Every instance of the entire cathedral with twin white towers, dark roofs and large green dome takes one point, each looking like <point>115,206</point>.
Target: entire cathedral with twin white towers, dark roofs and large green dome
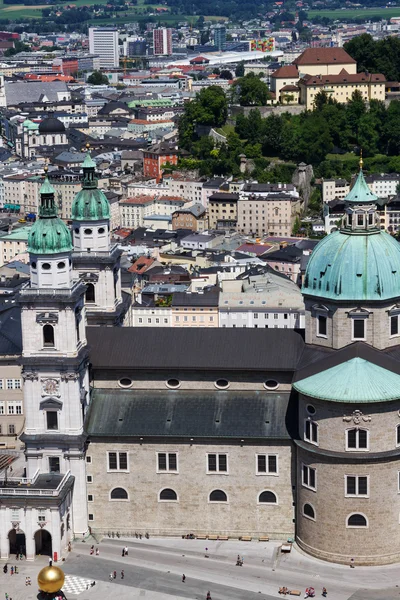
<point>259,433</point>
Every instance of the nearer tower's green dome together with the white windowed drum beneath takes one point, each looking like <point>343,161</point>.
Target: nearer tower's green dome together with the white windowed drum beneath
<point>49,244</point>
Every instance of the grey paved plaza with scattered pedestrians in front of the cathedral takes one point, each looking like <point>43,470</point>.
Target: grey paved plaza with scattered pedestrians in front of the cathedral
<point>153,571</point>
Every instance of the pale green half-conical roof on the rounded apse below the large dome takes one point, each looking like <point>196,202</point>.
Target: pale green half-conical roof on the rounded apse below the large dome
<point>356,380</point>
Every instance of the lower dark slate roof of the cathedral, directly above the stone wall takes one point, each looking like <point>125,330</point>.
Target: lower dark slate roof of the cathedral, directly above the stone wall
<point>205,414</point>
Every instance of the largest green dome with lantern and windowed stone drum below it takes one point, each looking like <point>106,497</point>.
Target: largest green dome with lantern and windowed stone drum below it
<point>352,282</point>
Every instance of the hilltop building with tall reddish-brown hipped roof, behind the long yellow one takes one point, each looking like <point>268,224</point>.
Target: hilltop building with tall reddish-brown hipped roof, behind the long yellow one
<point>325,61</point>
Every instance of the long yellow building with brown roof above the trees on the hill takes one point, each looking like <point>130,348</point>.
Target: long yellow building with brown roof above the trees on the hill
<point>341,87</point>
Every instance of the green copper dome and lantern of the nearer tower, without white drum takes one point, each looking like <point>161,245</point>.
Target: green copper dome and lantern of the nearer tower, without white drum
<point>49,234</point>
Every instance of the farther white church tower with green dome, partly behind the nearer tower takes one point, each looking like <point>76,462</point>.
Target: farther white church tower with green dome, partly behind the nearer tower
<point>95,260</point>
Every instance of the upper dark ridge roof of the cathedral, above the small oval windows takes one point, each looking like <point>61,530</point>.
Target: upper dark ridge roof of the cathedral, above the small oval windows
<point>194,348</point>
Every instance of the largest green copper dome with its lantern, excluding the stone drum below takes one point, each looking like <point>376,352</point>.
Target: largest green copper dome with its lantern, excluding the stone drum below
<point>357,262</point>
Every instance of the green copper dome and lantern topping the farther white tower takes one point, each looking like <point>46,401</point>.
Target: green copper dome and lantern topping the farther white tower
<point>90,203</point>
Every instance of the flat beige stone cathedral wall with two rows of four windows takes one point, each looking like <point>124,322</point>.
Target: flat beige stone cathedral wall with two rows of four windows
<point>192,512</point>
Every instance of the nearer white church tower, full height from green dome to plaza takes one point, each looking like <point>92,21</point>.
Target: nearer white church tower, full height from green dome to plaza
<point>55,372</point>
